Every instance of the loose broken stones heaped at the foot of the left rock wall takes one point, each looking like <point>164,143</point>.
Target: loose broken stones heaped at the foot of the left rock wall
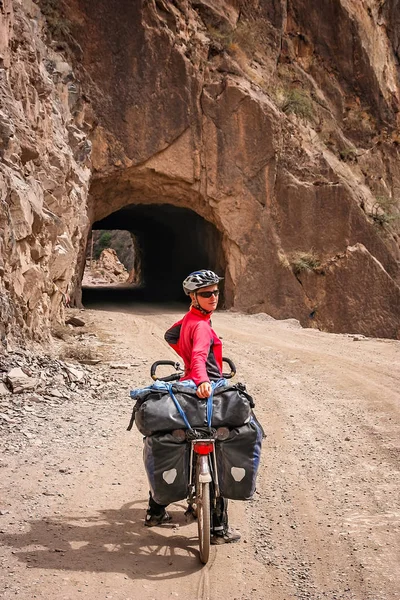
<point>40,384</point>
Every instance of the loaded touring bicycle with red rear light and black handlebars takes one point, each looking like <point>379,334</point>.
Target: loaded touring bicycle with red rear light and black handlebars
<point>203,486</point>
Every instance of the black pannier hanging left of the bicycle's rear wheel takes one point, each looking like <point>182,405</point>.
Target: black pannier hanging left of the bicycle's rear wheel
<point>166,461</point>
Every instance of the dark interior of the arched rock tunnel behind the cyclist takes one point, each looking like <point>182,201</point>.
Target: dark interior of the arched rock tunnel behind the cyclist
<point>171,243</point>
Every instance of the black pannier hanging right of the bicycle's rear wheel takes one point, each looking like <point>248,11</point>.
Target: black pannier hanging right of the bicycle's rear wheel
<point>238,459</point>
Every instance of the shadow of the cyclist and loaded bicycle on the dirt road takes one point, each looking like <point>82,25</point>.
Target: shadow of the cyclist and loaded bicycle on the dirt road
<point>114,541</point>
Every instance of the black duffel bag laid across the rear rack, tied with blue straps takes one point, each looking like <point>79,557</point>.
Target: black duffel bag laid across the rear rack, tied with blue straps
<point>155,410</point>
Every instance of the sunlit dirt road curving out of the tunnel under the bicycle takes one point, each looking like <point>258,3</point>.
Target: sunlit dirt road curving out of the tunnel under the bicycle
<point>324,523</point>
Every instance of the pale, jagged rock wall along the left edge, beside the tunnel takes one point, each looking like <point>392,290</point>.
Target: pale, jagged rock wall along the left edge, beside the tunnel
<point>44,174</point>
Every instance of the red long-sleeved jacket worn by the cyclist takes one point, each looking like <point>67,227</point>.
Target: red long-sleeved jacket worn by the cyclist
<point>198,345</point>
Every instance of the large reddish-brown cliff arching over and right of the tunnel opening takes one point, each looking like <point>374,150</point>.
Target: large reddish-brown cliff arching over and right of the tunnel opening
<point>277,122</point>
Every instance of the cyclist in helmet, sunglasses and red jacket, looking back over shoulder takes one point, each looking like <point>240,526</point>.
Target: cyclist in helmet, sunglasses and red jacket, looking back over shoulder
<point>201,350</point>
